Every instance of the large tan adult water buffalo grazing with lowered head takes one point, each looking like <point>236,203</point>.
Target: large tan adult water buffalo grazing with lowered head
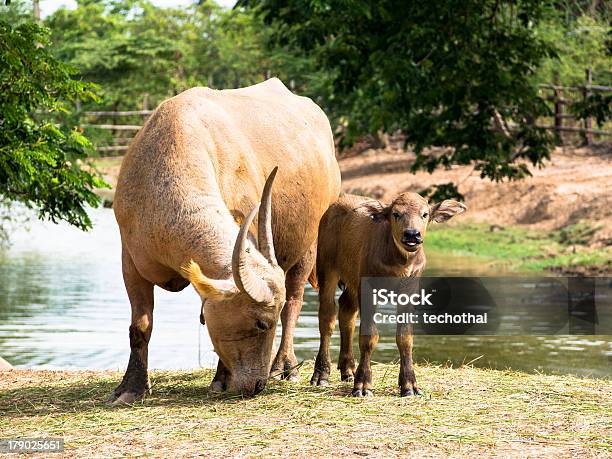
<point>192,175</point>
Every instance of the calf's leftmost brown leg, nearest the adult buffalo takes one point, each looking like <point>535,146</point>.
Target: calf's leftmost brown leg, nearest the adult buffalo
<point>327,323</point>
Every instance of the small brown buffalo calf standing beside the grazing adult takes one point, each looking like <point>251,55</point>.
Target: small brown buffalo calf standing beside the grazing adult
<point>360,237</point>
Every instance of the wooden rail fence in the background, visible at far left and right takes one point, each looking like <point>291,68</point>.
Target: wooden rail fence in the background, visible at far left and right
<point>563,122</point>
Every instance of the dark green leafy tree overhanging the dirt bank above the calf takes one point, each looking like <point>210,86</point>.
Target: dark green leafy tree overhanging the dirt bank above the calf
<point>452,74</point>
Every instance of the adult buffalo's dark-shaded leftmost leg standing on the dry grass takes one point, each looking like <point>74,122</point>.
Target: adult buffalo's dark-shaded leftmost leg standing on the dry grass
<point>136,382</point>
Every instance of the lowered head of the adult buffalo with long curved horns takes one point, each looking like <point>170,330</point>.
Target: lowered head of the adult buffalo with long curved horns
<point>241,313</point>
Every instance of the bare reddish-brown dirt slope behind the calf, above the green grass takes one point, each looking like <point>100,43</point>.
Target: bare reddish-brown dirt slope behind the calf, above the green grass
<point>574,186</point>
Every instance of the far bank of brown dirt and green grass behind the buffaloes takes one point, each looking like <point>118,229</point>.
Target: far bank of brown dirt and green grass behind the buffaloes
<point>559,219</point>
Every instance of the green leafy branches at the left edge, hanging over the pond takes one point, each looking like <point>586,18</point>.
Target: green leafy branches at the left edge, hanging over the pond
<point>40,161</point>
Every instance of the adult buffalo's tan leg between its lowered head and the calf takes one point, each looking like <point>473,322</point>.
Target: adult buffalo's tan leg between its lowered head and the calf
<point>285,363</point>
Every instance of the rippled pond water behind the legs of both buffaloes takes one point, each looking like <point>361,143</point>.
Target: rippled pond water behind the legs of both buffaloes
<point>63,305</point>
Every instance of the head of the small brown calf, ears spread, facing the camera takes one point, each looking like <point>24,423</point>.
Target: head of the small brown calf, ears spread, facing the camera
<point>408,216</point>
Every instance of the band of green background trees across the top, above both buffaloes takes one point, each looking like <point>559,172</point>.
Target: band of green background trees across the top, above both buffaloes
<point>462,74</point>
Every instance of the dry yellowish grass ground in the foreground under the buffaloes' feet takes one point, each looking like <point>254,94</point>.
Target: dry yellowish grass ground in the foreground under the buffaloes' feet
<point>464,412</point>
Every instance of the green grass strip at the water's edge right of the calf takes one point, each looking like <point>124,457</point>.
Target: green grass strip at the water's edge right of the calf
<point>521,249</point>
